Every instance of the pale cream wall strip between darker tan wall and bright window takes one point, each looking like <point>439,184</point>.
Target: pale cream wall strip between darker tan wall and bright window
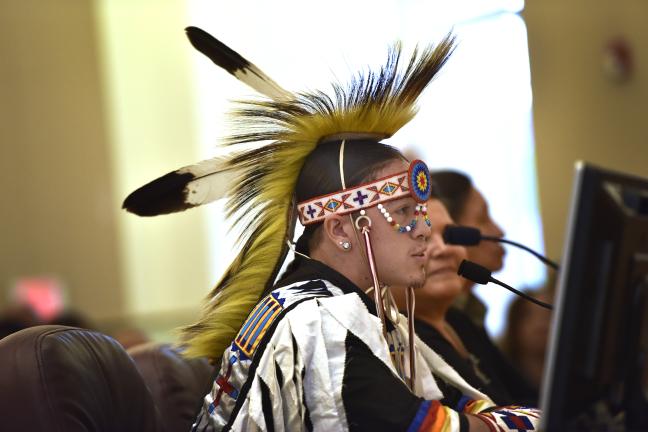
<point>150,100</point>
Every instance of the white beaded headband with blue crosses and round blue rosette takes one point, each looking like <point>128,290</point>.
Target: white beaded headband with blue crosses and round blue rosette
<point>414,182</point>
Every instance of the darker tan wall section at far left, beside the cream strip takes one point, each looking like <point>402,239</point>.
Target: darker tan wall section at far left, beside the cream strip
<point>56,214</point>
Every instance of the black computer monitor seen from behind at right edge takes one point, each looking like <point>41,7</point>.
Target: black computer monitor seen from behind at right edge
<point>596,376</point>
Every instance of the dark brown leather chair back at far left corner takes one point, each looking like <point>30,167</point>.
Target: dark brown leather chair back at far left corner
<point>64,379</point>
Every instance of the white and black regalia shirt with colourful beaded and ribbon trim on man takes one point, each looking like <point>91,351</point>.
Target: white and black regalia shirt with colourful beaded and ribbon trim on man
<point>312,356</point>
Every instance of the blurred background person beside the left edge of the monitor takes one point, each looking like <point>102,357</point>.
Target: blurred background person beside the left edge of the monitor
<point>525,340</point>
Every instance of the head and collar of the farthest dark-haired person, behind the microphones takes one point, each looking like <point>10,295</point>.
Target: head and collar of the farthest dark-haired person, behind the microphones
<point>468,207</point>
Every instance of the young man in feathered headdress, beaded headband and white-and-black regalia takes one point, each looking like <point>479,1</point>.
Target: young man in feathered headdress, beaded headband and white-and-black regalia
<point>313,351</point>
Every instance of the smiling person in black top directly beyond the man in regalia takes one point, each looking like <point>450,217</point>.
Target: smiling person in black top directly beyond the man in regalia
<point>450,332</point>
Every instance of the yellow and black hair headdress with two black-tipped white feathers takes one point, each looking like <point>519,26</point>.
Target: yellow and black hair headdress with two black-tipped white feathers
<point>287,127</point>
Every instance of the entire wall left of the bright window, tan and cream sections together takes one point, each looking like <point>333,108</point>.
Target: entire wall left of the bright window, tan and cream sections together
<point>96,99</point>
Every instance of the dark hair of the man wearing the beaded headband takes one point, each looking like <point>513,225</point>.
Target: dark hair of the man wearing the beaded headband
<point>320,175</point>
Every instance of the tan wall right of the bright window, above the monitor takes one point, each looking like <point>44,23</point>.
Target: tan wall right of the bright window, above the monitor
<point>579,113</point>
